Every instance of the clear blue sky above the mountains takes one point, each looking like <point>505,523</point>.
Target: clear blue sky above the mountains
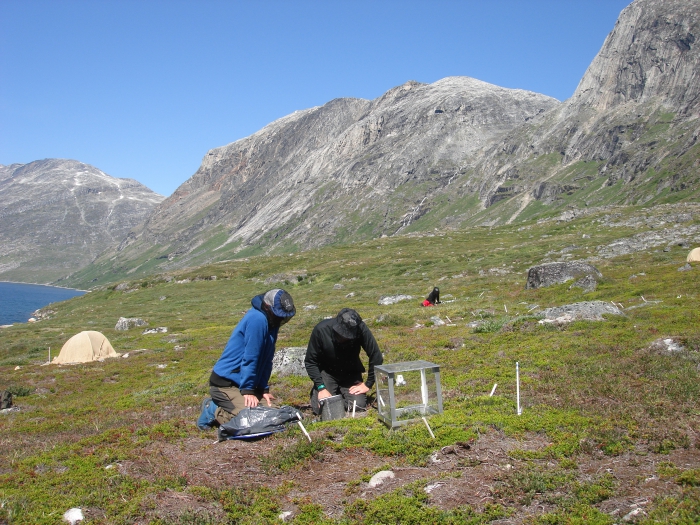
<point>143,89</point>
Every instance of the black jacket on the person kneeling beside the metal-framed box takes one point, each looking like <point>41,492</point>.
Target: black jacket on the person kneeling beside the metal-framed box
<point>326,352</point>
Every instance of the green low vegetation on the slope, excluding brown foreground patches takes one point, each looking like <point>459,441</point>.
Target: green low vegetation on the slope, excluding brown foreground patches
<point>588,387</point>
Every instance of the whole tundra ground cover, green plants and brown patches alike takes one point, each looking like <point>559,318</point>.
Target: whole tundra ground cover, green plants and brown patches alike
<point>610,427</point>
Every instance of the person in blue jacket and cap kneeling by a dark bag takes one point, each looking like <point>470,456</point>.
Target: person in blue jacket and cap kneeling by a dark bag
<point>240,376</point>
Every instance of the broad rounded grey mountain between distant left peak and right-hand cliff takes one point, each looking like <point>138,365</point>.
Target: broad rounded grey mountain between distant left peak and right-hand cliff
<point>347,170</point>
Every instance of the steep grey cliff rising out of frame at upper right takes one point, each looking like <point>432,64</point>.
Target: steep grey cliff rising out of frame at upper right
<point>627,135</point>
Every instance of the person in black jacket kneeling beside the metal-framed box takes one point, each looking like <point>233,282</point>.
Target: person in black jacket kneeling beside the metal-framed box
<point>333,360</point>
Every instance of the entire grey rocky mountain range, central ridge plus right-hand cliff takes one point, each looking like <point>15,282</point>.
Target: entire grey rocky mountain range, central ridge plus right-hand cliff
<point>454,153</point>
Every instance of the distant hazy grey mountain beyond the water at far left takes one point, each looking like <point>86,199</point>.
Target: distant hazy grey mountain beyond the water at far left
<point>57,215</point>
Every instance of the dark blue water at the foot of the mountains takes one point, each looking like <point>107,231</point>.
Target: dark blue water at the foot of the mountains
<point>18,301</point>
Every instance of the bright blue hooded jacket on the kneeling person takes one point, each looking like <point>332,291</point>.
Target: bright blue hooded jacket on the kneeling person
<point>247,357</point>
